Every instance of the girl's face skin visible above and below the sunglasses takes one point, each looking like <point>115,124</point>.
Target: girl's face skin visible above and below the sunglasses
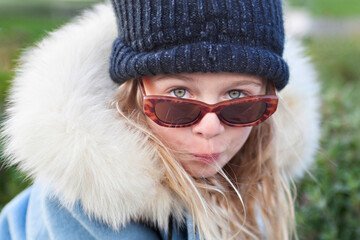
<point>207,146</point>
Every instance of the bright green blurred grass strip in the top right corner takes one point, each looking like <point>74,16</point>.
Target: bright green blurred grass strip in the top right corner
<point>330,8</point>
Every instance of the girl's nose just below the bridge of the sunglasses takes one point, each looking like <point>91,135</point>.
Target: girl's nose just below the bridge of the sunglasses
<point>209,126</point>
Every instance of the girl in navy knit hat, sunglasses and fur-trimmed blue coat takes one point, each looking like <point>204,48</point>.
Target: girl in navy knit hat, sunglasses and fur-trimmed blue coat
<point>181,144</point>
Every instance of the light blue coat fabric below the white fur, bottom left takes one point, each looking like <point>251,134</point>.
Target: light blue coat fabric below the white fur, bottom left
<point>34,215</point>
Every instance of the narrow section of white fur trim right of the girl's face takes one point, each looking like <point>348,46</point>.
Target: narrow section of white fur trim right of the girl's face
<point>298,116</point>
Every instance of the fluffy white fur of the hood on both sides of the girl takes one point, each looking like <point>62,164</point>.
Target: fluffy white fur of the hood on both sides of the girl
<point>61,130</point>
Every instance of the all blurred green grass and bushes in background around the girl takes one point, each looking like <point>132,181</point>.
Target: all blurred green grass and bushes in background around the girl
<point>328,204</point>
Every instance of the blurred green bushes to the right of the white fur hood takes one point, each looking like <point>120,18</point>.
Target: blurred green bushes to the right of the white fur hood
<point>330,208</point>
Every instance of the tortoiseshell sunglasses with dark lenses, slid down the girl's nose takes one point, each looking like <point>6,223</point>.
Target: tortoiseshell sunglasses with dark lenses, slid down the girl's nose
<point>177,112</point>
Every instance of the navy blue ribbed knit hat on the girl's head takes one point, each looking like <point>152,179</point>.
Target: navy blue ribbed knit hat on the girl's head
<point>174,36</point>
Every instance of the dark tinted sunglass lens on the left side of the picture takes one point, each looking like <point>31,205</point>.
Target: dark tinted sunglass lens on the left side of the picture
<point>176,113</point>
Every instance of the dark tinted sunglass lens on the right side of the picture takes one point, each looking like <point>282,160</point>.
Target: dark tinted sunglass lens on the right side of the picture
<point>243,113</point>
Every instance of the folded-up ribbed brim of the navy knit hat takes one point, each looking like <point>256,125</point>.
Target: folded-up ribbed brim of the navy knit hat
<point>198,57</point>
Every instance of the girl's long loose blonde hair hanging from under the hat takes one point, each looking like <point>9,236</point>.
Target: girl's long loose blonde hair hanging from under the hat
<point>249,198</point>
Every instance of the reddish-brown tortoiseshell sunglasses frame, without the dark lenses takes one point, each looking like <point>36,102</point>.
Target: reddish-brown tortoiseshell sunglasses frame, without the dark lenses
<point>149,102</point>
